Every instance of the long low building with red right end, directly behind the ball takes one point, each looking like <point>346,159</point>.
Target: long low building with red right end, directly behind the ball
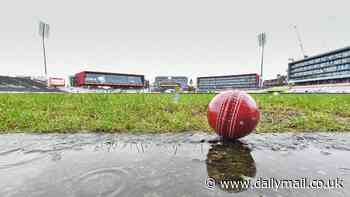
<point>217,83</point>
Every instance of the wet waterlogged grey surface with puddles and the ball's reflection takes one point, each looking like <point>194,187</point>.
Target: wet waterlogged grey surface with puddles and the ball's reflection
<point>188,164</point>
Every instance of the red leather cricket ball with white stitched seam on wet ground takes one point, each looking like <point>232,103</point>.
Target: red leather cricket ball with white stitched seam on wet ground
<point>233,114</point>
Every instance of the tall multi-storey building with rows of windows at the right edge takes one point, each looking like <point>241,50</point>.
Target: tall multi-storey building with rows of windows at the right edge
<point>326,68</point>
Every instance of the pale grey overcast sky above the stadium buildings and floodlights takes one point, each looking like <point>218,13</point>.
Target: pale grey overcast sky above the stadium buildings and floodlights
<point>159,37</point>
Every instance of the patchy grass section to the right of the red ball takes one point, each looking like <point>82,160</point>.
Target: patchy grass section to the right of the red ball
<point>304,112</point>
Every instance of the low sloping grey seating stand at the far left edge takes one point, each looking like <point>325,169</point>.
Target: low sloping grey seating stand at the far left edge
<point>23,84</point>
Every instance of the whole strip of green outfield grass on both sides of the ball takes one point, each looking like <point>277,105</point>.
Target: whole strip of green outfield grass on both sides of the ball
<point>156,113</point>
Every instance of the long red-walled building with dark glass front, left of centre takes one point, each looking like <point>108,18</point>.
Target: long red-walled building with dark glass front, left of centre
<point>93,79</point>
